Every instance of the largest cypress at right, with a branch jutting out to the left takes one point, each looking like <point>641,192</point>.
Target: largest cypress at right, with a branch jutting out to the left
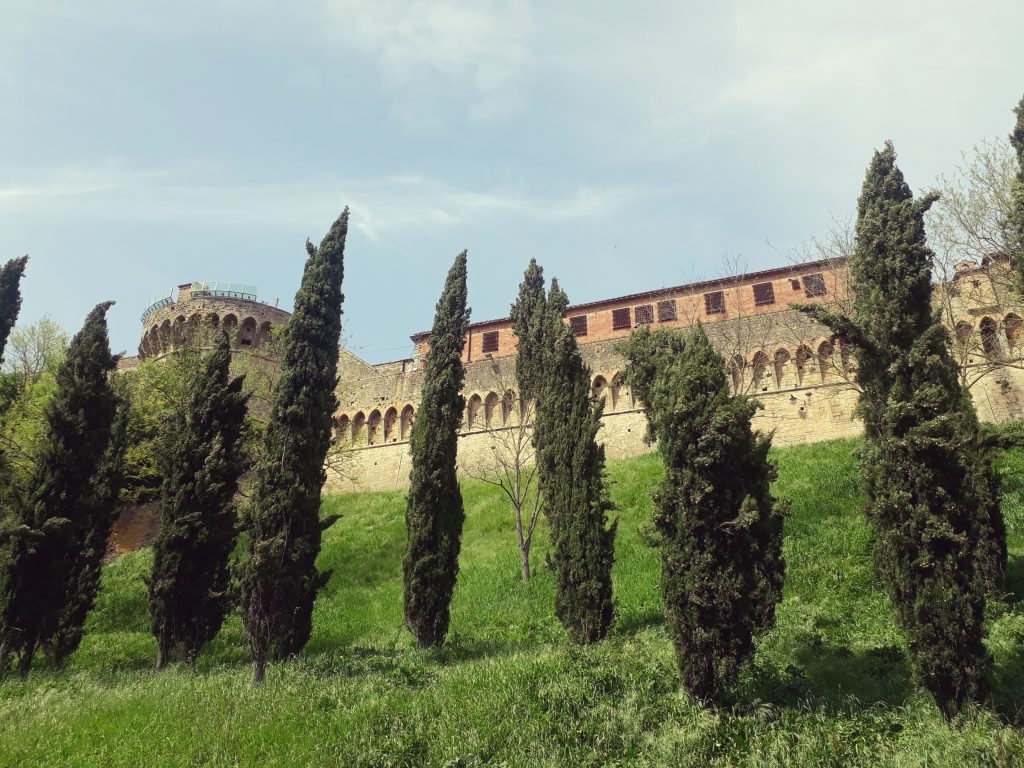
<point>941,540</point>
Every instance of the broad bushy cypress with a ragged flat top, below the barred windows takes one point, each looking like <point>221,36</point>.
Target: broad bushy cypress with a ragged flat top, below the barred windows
<point>721,531</point>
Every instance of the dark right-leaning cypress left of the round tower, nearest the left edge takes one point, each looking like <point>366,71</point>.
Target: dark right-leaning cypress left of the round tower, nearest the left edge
<point>47,590</point>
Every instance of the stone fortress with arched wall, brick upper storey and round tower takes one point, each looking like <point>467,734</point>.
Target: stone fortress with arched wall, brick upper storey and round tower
<point>801,375</point>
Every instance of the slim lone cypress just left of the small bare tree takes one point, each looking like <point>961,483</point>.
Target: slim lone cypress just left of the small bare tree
<point>435,510</point>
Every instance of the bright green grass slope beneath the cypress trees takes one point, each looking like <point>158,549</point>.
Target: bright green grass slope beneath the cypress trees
<point>831,686</point>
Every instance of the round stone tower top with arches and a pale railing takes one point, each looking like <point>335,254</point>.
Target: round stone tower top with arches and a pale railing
<point>179,314</point>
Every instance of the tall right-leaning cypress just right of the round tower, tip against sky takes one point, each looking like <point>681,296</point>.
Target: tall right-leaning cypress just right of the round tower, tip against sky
<point>280,580</point>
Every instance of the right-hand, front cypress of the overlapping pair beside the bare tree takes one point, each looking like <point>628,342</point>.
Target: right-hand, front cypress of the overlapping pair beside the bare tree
<point>571,465</point>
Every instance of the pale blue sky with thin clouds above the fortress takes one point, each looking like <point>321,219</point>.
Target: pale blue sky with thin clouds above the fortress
<point>627,147</point>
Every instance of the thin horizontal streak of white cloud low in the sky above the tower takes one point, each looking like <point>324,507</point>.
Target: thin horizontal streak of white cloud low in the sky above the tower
<point>382,208</point>
